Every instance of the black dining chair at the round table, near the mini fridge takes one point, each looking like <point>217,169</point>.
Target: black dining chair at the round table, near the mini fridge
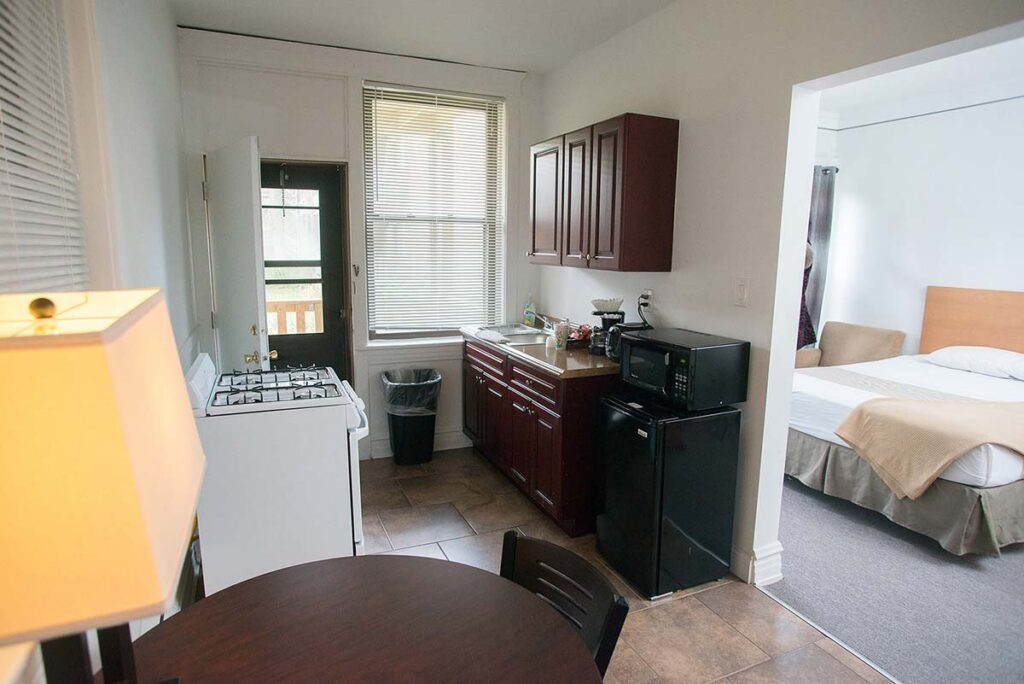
<point>571,586</point>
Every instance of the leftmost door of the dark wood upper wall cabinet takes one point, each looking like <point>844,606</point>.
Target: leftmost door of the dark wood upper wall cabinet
<point>546,201</point>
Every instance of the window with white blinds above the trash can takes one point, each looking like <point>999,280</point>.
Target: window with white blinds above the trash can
<point>435,209</point>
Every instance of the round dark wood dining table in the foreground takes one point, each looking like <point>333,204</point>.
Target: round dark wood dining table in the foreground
<point>372,619</point>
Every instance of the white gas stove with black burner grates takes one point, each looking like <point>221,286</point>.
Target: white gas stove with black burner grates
<point>282,485</point>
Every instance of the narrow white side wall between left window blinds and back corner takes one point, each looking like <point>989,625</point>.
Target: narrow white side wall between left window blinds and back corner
<point>139,73</point>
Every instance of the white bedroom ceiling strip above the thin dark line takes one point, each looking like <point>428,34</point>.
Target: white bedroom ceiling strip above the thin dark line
<point>988,74</point>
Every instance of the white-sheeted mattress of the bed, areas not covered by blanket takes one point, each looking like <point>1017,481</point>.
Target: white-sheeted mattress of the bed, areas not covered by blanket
<point>820,406</point>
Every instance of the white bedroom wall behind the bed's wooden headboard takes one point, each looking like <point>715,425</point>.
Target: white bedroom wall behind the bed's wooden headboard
<point>935,200</point>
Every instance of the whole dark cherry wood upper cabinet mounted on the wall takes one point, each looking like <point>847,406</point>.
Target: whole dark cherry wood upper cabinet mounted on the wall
<point>618,195</point>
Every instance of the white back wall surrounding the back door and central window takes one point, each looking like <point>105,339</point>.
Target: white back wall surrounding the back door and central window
<point>305,104</point>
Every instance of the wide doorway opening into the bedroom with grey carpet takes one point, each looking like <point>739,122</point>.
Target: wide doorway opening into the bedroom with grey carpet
<point>921,258</point>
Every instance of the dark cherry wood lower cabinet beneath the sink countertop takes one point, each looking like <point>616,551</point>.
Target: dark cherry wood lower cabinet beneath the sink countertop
<point>538,429</point>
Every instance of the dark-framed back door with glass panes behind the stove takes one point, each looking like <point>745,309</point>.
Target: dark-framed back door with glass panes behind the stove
<point>305,256</point>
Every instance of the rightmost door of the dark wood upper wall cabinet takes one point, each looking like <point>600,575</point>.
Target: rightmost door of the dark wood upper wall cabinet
<point>607,194</point>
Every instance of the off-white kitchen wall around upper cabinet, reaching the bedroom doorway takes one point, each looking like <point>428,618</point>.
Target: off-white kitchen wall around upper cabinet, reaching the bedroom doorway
<point>728,71</point>
